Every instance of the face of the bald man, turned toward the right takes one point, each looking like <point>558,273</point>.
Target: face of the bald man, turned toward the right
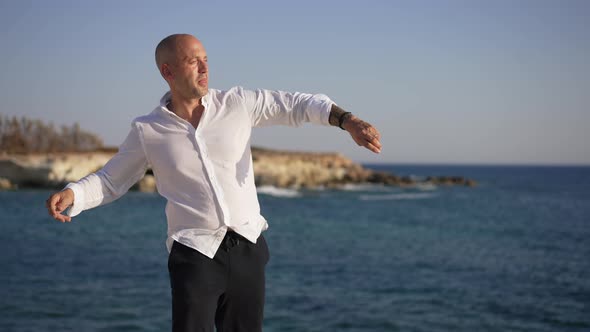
<point>191,72</point>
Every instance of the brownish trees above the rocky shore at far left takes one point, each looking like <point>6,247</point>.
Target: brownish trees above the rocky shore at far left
<point>25,135</point>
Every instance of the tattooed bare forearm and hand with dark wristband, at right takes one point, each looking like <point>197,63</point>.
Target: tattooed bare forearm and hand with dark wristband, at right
<point>363,133</point>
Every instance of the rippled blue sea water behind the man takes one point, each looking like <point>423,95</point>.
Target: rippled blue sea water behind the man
<point>511,254</point>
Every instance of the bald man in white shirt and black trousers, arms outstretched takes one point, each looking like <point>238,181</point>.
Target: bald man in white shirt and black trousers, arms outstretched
<point>197,143</point>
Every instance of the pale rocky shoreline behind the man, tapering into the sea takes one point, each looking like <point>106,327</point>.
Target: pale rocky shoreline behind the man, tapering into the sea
<point>282,169</point>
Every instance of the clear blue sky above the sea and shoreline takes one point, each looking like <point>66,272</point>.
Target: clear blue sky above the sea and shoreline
<point>444,81</point>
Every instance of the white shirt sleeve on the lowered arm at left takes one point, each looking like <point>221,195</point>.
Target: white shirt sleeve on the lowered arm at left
<point>114,179</point>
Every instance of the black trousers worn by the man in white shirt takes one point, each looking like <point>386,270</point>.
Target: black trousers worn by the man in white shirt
<point>226,292</point>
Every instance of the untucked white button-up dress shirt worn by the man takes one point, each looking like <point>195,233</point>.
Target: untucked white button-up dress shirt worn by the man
<point>205,174</point>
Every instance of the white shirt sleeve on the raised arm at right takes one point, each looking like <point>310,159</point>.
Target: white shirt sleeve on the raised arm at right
<point>268,107</point>
